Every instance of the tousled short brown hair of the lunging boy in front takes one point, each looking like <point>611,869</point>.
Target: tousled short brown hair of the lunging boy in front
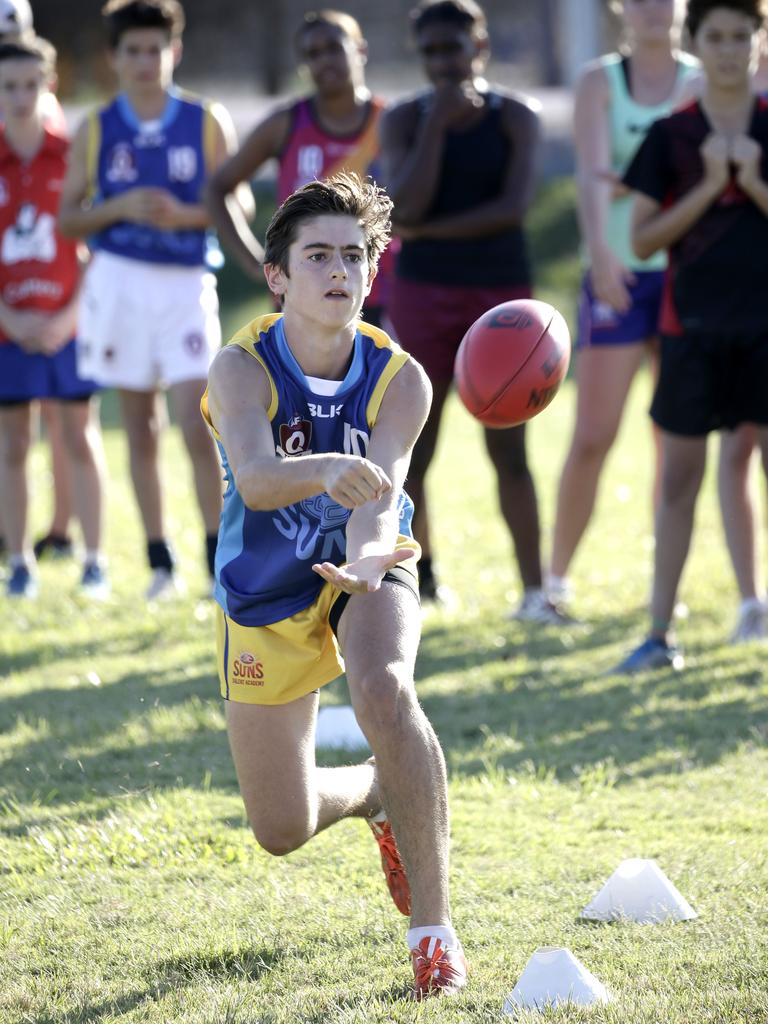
<point>345,195</point>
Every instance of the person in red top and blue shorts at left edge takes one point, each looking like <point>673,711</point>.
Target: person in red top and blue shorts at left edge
<point>39,279</point>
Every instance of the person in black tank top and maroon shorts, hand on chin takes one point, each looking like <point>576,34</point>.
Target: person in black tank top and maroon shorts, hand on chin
<point>459,162</point>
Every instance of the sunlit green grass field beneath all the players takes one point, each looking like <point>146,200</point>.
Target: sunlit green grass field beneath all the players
<point>132,889</point>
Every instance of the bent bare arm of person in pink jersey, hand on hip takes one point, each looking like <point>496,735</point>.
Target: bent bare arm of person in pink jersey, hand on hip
<point>266,142</point>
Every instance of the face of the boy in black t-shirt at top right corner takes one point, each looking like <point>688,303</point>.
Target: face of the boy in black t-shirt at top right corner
<point>729,46</point>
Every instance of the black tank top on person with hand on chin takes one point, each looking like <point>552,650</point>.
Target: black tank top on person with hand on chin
<point>475,166</point>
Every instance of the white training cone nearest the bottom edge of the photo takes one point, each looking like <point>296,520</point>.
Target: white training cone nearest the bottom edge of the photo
<point>552,976</point>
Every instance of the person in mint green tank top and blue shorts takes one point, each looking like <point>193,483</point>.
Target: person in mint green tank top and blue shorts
<point>617,101</point>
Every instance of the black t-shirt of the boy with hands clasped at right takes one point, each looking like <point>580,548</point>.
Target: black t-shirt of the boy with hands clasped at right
<point>718,272</point>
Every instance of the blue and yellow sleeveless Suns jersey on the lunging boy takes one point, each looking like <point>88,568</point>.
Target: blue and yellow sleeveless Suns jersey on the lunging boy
<point>264,561</point>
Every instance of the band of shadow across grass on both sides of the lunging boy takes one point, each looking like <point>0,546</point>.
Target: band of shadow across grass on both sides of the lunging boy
<point>525,703</point>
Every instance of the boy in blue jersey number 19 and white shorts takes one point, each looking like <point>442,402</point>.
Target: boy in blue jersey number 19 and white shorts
<point>150,311</point>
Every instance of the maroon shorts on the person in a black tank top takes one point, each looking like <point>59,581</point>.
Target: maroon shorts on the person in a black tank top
<point>432,320</point>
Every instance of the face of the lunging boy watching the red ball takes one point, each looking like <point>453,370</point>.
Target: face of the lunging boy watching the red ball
<point>328,275</point>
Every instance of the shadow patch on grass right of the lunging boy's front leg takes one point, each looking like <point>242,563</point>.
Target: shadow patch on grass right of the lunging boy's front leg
<point>532,709</point>
